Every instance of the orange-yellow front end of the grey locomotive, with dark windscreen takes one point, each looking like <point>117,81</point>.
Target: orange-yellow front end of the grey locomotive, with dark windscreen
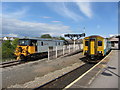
<point>24,49</point>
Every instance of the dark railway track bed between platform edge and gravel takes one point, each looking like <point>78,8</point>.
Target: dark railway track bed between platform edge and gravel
<point>63,81</point>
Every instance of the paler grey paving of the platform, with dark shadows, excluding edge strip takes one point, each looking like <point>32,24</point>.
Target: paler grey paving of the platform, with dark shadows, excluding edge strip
<point>109,77</point>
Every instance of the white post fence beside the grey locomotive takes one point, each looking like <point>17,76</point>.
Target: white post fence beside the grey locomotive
<point>64,50</point>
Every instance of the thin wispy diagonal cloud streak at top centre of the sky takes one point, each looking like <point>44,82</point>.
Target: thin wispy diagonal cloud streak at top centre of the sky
<point>64,11</point>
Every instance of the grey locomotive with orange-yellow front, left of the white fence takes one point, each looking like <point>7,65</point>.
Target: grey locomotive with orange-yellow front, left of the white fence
<point>30,48</point>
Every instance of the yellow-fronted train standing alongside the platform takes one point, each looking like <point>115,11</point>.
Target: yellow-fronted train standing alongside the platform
<point>95,46</point>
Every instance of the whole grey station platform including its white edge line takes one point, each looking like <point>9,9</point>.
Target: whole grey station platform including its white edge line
<point>107,77</point>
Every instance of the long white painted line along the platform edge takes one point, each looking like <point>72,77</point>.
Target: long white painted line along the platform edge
<point>68,86</point>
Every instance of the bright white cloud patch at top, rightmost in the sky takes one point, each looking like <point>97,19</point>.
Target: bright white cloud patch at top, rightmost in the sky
<point>85,8</point>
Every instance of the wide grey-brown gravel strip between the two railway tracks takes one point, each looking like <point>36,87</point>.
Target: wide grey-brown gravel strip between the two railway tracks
<point>34,74</point>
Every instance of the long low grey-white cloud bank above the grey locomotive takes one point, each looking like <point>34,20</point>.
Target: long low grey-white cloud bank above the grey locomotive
<point>30,29</point>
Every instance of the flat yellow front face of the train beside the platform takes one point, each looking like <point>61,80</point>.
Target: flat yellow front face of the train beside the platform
<point>93,47</point>
